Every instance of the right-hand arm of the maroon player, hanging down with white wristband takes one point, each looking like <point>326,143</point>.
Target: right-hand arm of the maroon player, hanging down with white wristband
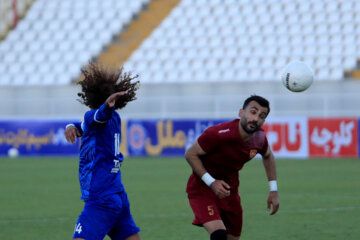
<point>270,168</point>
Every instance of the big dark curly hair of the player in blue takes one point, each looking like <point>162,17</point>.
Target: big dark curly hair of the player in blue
<point>100,82</point>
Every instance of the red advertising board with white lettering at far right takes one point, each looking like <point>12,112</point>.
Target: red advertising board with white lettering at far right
<point>333,137</point>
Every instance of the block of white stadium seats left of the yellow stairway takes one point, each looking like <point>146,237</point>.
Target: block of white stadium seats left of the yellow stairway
<point>56,38</point>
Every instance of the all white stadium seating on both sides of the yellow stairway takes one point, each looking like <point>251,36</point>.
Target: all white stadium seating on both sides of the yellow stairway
<point>203,40</point>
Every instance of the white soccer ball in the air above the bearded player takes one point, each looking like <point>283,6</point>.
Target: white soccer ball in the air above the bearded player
<point>297,76</point>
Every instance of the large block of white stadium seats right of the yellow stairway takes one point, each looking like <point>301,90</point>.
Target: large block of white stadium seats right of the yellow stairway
<point>250,40</point>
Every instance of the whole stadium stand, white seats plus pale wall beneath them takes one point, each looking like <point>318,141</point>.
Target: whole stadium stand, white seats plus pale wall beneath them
<point>201,61</point>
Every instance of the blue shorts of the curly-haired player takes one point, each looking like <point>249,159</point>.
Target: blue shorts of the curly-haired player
<point>96,220</point>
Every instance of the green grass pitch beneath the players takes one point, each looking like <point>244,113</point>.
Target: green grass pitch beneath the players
<point>319,199</point>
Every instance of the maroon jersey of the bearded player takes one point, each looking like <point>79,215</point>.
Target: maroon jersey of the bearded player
<point>226,153</point>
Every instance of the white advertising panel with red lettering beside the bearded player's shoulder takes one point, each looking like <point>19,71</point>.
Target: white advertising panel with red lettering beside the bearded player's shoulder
<point>288,137</point>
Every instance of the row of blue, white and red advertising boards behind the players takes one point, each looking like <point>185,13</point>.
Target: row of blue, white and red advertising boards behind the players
<point>289,137</point>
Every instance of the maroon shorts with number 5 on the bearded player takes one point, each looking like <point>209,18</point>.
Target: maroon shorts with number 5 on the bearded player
<point>208,207</point>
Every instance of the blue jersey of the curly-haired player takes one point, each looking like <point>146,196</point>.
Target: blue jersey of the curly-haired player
<point>100,156</point>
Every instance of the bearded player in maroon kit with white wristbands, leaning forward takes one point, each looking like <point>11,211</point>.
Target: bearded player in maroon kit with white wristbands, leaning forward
<point>216,158</point>
